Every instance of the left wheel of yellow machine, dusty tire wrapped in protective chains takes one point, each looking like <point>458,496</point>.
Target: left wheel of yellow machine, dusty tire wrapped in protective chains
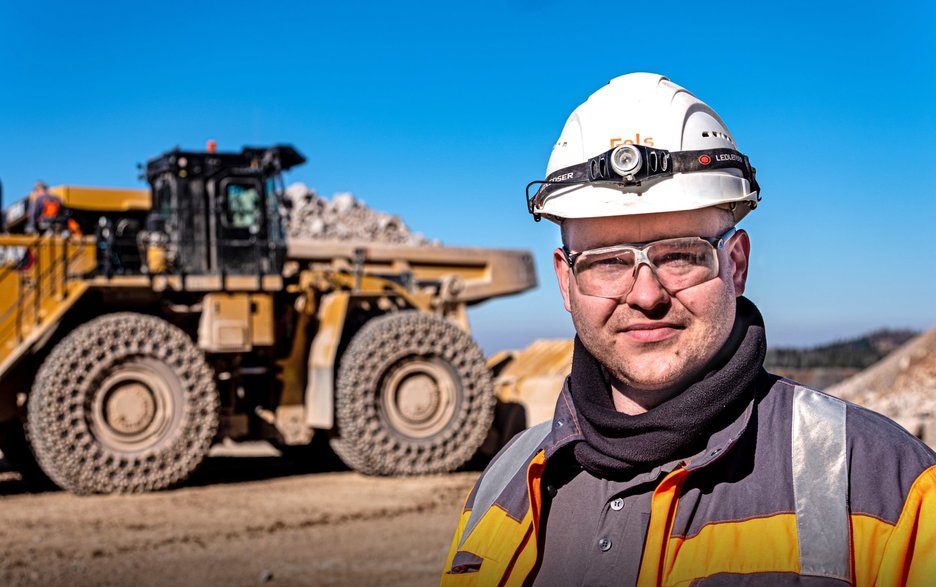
<point>123,404</point>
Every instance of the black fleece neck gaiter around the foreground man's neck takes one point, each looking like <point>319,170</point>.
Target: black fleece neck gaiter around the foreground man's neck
<point>617,446</point>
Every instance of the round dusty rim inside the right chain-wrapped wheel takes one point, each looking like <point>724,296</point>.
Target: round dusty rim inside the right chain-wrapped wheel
<point>419,397</point>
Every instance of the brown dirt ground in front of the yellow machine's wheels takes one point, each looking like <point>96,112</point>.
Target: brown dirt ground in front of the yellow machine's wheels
<point>242,521</point>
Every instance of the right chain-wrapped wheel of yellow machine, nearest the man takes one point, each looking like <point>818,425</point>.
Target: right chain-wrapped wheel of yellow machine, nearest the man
<point>414,396</point>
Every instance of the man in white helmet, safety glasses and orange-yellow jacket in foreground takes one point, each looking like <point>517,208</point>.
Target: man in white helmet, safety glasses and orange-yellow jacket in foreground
<point>673,457</point>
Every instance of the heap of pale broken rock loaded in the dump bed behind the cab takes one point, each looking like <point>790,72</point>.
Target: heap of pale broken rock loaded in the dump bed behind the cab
<point>344,218</point>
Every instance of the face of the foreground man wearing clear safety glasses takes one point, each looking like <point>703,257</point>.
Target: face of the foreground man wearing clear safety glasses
<point>650,339</point>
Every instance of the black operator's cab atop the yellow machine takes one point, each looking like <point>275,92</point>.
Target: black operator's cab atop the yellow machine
<point>218,213</point>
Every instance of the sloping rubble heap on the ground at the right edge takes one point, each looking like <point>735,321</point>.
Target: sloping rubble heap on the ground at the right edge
<point>901,386</point>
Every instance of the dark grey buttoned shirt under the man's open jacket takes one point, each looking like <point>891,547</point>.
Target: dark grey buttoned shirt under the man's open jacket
<point>594,531</point>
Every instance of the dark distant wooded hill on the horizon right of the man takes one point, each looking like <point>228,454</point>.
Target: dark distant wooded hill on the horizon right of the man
<point>857,353</point>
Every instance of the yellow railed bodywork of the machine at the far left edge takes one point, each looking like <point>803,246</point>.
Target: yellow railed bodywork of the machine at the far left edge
<point>40,278</point>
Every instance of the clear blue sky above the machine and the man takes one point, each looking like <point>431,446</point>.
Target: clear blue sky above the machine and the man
<point>442,112</point>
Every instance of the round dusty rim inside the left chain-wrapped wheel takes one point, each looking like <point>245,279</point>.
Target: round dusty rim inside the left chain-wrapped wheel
<point>133,408</point>
